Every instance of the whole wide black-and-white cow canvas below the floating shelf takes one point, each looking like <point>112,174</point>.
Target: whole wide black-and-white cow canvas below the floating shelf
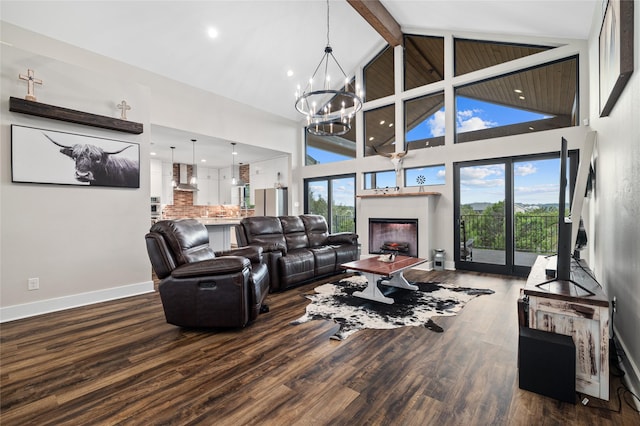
<point>48,156</point>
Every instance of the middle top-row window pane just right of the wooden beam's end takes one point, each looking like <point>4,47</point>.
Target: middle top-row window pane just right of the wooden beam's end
<point>423,60</point>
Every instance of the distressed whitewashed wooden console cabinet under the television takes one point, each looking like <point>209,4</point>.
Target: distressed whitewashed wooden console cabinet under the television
<point>560,307</point>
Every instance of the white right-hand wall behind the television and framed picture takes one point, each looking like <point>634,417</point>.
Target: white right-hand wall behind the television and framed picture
<point>615,205</point>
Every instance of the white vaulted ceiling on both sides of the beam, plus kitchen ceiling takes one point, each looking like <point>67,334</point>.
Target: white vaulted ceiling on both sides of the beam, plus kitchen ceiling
<point>260,40</point>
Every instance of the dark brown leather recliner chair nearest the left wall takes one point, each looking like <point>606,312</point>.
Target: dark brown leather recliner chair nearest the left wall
<point>203,288</point>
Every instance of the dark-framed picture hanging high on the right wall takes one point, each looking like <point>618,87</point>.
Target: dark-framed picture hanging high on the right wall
<point>615,53</point>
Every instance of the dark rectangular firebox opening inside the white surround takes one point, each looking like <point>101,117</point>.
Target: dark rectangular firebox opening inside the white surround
<point>393,235</point>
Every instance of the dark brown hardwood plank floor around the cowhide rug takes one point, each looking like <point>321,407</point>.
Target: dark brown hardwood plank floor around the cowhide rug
<point>120,363</point>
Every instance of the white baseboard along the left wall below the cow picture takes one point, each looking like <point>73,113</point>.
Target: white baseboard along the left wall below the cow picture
<point>26,310</point>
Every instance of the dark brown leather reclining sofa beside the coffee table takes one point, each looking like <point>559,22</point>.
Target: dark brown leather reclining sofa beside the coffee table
<point>297,249</point>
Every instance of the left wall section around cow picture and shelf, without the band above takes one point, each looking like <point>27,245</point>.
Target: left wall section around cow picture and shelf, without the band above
<point>84,244</point>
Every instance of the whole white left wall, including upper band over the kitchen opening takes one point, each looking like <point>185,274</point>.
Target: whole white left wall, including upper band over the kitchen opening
<point>79,241</point>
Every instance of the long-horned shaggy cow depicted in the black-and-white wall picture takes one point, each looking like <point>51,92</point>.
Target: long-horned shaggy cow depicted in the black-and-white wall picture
<point>101,168</point>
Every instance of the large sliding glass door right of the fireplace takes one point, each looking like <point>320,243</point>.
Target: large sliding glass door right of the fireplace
<point>506,212</point>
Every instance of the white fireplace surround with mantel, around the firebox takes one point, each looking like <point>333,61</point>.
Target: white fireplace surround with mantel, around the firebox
<point>415,205</point>
